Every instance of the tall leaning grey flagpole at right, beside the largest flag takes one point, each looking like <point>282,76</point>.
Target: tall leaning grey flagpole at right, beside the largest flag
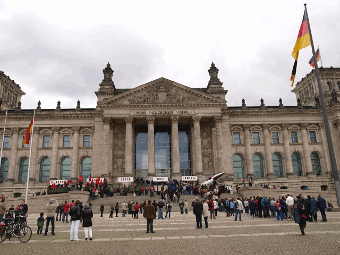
<point>335,172</point>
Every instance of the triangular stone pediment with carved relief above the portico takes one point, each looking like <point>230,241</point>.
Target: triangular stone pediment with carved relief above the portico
<point>159,92</point>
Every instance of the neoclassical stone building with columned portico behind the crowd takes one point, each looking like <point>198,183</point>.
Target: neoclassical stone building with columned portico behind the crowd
<point>163,128</point>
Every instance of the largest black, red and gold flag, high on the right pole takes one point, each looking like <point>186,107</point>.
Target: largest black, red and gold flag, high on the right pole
<point>302,41</point>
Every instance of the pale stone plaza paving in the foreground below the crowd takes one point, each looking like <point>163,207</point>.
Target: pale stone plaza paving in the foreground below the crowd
<point>179,235</point>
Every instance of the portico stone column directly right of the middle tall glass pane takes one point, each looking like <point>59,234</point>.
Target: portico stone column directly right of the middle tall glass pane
<point>175,157</point>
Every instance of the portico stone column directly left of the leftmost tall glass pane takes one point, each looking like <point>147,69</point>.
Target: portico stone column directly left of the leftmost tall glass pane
<point>128,146</point>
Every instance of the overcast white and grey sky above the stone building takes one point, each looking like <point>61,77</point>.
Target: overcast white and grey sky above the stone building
<point>56,50</point>
